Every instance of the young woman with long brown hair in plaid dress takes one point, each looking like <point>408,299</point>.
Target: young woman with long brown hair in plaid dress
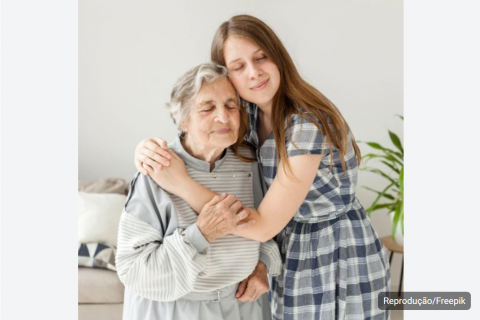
<point>334,264</point>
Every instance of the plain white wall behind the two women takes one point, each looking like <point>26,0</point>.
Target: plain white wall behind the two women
<point>131,52</point>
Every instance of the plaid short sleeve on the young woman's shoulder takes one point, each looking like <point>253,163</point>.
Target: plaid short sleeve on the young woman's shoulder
<point>304,137</point>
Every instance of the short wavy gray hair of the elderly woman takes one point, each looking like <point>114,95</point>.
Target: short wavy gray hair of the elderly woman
<point>188,86</point>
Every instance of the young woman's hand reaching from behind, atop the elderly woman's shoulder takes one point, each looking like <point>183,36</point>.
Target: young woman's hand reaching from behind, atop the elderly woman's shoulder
<point>151,154</point>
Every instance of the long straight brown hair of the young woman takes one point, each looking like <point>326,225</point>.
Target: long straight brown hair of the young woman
<point>294,93</point>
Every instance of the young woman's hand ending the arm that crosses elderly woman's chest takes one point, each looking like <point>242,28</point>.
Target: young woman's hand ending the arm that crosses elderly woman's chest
<point>172,177</point>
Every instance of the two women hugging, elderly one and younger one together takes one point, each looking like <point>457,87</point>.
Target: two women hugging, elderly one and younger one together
<point>250,213</point>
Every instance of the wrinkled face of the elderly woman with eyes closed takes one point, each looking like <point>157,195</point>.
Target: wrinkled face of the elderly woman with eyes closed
<point>214,118</point>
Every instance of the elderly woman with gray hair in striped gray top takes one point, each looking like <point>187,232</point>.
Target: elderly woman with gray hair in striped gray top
<point>174,263</point>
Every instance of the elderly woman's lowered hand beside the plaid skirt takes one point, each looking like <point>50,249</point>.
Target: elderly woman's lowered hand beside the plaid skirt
<point>255,285</point>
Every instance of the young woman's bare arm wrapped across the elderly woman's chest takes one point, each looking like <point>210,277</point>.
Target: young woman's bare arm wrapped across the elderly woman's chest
<point>280,204</point>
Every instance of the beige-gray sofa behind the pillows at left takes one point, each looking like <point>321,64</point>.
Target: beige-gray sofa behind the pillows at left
<point>100,292</point>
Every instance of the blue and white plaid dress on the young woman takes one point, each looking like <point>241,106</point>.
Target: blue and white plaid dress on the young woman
<point>334,264</point>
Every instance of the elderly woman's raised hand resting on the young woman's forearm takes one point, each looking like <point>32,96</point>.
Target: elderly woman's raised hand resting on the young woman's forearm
<point>221,216</point>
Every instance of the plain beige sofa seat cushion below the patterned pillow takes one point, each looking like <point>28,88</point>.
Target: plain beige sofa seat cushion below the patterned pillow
<point>99,286</point>
